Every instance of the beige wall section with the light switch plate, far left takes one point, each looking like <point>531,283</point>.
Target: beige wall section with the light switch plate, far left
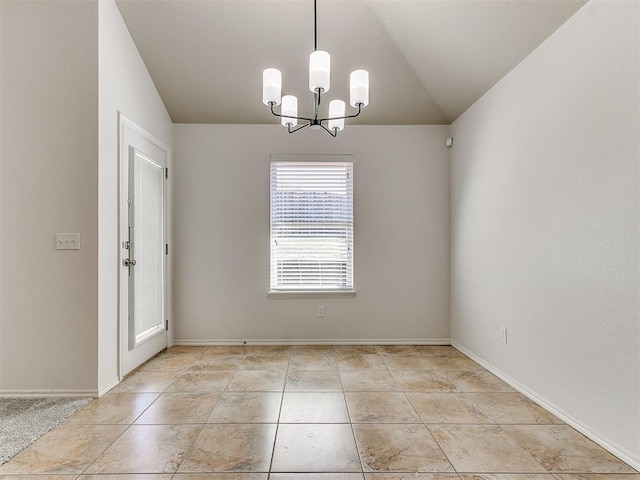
<point>49,163</point>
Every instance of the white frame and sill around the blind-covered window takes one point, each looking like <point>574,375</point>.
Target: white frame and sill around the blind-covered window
<point>312,293</point>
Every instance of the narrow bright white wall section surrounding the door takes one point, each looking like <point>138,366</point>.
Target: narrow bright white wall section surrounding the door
<point>125,86</point>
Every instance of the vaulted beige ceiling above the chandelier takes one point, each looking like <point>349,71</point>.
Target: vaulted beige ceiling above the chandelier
<point>428,60</point>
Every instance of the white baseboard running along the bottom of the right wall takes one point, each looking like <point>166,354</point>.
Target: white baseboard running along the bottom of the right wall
<point>621,453</point>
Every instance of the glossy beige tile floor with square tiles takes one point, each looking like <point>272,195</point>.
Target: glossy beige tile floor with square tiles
<point>314,412</point>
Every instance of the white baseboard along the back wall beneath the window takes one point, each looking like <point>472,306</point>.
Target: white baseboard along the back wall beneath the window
<point>342,341</point>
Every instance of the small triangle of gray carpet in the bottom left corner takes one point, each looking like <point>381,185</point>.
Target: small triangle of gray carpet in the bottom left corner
<point>24,420</point>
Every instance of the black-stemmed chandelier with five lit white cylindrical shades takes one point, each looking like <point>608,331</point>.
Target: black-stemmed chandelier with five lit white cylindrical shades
<point>319,82</point>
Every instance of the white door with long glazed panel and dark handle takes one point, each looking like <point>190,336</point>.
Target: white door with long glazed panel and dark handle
<point>143,163</point>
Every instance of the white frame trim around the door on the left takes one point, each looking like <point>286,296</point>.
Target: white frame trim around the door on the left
<point>125,123</point>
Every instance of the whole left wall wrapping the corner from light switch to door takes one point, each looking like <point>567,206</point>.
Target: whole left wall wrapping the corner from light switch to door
<point>68,68</point>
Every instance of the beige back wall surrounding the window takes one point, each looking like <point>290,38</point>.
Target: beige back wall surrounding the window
<point>221,231</point>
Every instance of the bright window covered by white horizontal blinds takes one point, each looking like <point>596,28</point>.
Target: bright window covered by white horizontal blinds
<point>312,224</point>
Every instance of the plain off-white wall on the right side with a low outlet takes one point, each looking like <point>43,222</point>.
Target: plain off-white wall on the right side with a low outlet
<point>545,225</point>
